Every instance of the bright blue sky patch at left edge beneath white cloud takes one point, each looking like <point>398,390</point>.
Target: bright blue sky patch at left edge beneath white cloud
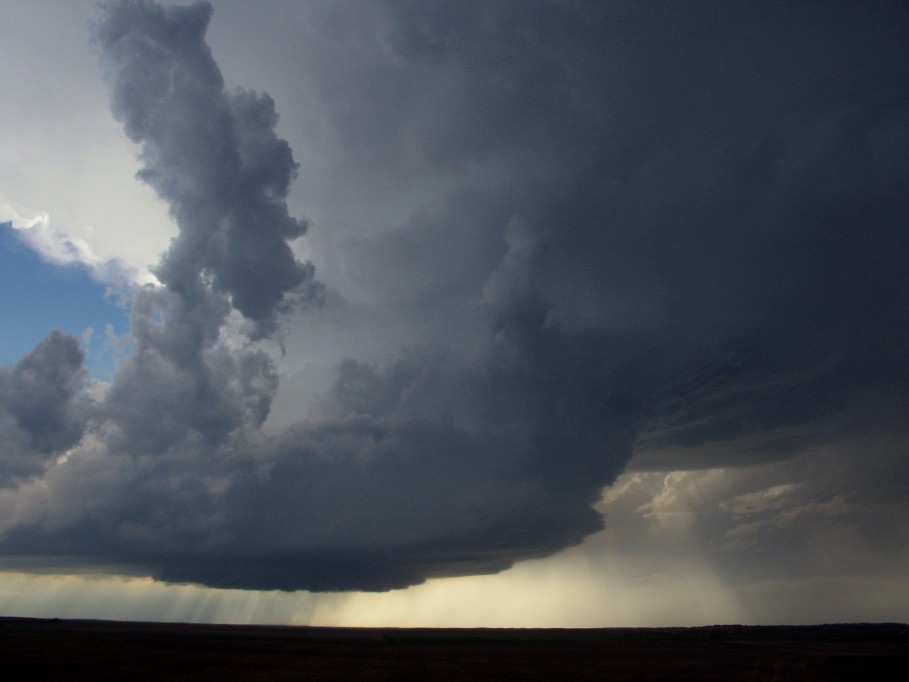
<point>36,296</point>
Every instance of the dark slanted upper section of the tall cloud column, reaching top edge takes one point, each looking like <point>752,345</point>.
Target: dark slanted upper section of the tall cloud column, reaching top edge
<point>212,155</point>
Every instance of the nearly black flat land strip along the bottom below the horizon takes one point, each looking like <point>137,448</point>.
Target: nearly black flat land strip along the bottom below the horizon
<point>99,650</point>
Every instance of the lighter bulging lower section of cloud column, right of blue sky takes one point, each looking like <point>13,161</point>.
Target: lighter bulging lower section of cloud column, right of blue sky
<point>180,383</point>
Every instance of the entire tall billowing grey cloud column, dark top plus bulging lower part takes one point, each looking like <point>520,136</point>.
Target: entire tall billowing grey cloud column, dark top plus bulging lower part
<point>214,158</point>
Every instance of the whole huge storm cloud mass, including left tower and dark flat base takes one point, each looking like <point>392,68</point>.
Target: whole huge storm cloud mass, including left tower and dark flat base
<point>561,249</point>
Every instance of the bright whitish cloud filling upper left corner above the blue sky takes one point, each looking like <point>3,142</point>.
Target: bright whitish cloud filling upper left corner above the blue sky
<point>63,153</point>
